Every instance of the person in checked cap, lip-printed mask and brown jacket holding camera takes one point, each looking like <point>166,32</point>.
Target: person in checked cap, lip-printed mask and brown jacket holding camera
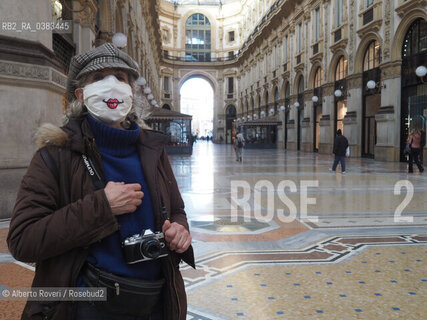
<point>99,205</point>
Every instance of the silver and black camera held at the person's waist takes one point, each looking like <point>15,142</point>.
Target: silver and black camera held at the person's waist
<point>146,246</point>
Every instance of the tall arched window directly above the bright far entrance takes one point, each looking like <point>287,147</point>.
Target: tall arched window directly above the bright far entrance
<point>198,38</point>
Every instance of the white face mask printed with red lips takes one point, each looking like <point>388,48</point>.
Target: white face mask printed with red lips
<point>108,100</point>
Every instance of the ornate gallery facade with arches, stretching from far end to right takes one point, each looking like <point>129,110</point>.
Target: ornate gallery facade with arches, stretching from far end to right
<point>308,63</point>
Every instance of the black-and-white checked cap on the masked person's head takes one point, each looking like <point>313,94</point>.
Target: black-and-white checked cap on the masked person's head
<point>102,57</point>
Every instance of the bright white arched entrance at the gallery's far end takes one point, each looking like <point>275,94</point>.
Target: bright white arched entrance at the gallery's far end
<point>197,100</point>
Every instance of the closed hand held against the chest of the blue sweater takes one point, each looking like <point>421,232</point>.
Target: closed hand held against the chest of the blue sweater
<point>123,198</point>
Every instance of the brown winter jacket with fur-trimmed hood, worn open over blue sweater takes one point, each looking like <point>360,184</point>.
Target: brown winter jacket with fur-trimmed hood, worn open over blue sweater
<point>56,219</point>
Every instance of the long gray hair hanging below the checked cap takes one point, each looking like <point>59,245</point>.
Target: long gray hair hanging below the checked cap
<point>139,112</point>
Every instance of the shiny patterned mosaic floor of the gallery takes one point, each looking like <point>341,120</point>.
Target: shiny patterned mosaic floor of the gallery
<point>278,236</point>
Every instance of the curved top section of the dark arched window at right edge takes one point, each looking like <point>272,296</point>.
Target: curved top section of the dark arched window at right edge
<point>416,38</point>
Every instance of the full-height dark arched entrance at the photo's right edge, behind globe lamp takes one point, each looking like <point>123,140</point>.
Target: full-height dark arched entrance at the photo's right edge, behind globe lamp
<point>414,89</point>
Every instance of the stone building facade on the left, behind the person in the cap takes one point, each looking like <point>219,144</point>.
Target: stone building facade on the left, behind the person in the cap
<point>34,66</point>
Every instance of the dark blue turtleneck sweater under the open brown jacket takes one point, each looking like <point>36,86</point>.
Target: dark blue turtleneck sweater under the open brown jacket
<point>121,164</point>
